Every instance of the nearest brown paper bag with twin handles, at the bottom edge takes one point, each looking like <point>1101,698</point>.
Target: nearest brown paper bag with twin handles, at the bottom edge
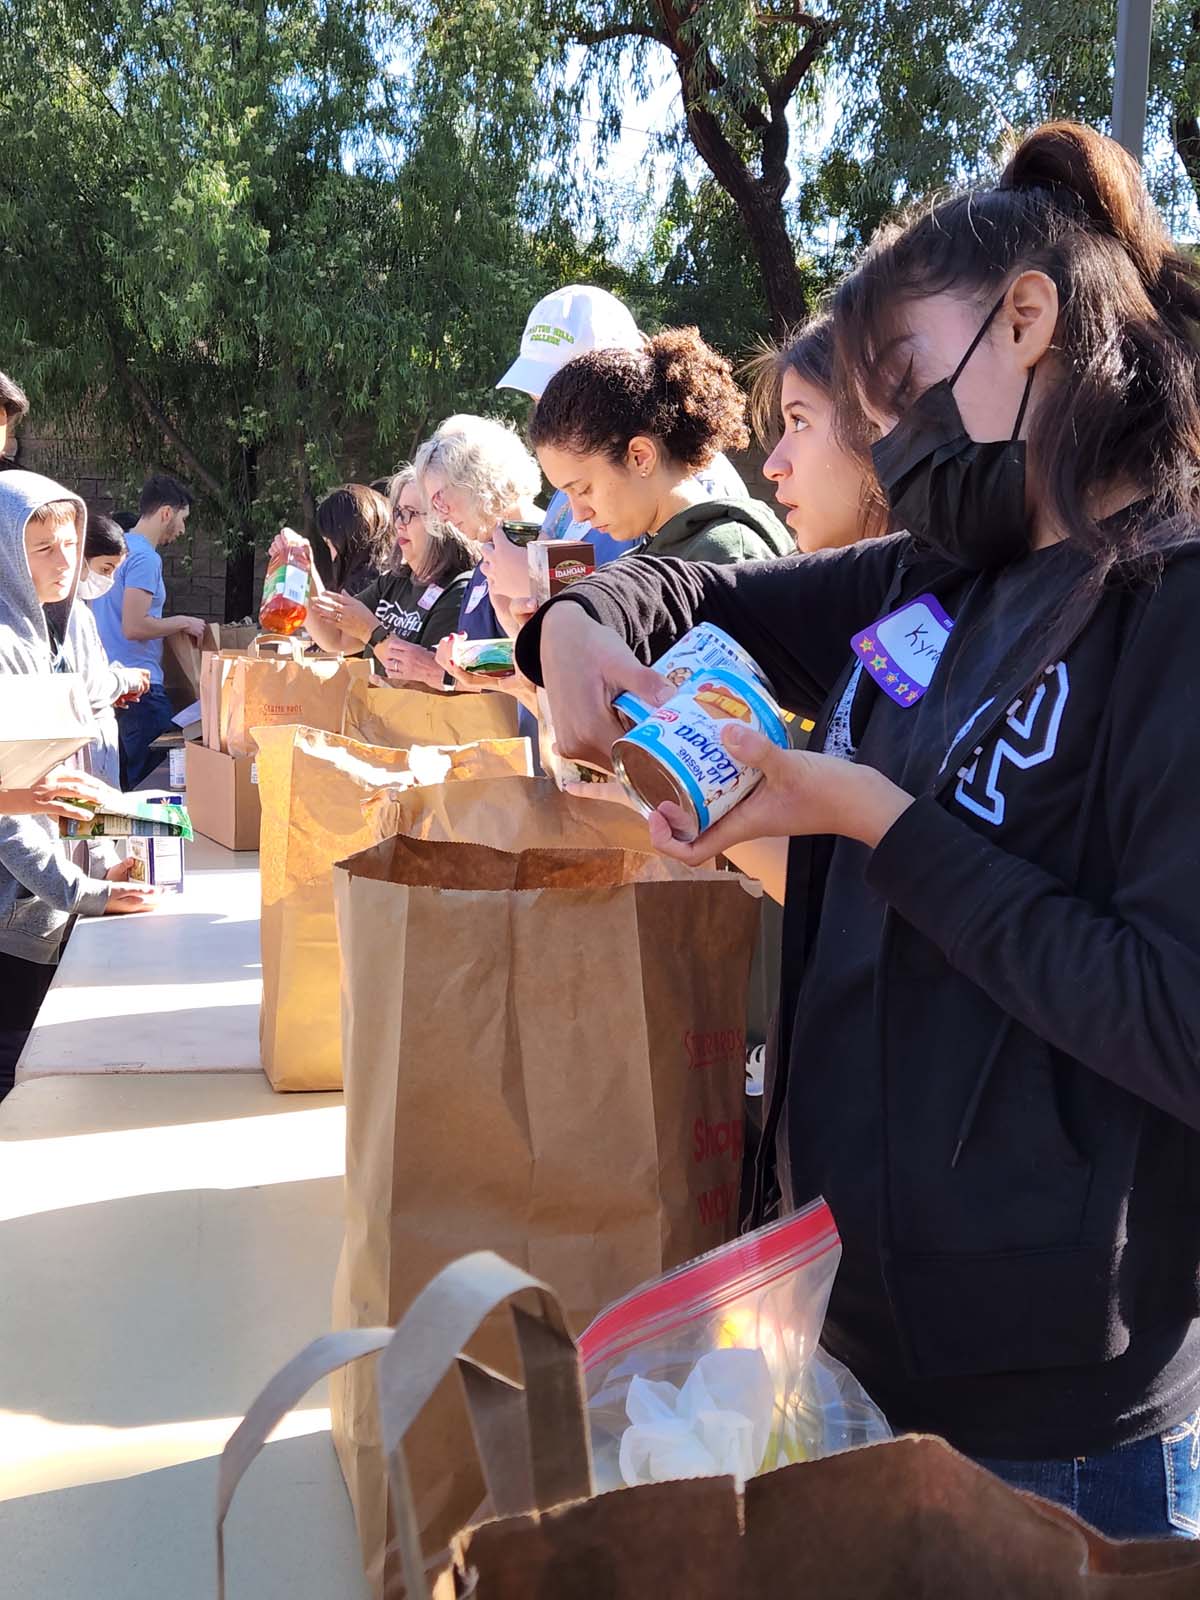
<point>889,1522</point>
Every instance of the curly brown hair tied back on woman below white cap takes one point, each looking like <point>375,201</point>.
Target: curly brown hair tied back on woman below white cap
<point>678,391</point>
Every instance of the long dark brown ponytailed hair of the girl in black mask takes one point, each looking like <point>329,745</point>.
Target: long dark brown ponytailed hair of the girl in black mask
<point>1127,410</point>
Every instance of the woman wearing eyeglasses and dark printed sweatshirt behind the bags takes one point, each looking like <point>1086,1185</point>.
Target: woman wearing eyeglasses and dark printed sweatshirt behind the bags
<point>404,614</point>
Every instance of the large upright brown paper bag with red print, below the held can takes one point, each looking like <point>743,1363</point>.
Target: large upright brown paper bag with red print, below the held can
<point>535,1046</point>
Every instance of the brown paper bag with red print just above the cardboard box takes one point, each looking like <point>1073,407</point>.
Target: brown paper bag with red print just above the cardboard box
<point>262,689</point>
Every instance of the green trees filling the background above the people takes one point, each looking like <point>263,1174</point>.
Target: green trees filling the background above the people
<point>271,244</point>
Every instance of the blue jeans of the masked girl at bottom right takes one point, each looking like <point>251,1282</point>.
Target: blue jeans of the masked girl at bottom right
<point>1150,1490</point>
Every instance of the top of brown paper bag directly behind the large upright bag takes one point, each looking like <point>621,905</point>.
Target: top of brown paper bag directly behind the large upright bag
<point>508,814</point>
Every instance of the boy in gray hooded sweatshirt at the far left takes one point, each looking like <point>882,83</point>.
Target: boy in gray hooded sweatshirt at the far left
<point>42,530</point>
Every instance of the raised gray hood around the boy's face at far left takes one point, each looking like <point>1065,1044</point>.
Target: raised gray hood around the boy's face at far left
<point>25,622</point>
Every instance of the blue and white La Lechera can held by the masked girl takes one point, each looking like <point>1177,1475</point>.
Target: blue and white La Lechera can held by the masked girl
<point>676,751</point>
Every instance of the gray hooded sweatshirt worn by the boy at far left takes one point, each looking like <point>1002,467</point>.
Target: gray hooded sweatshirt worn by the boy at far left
<point>41,887</point>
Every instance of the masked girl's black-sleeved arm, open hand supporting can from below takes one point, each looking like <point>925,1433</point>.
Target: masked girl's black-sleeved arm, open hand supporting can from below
<point>1113,982</point>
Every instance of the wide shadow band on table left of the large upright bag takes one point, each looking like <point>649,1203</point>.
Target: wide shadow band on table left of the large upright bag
<point>166,1306</point>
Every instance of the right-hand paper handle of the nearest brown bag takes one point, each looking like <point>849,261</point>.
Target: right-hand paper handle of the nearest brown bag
<point>534,1442</point>
